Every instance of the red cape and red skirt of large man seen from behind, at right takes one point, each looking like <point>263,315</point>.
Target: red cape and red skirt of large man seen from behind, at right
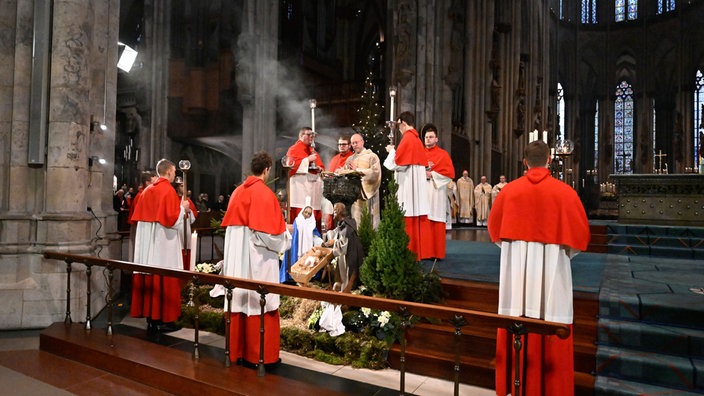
<point>538,198</point>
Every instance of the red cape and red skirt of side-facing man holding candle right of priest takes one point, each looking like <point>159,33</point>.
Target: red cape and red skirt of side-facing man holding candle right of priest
<point>410,151</point>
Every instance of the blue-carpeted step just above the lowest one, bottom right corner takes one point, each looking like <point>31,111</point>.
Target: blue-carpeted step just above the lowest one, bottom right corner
<point>650,368</point>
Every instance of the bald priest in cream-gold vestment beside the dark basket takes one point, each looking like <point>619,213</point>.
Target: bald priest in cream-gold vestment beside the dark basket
<point>367,163</point>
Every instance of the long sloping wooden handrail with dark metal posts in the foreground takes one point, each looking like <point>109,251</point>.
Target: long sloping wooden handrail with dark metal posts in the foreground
<point>459,318</point>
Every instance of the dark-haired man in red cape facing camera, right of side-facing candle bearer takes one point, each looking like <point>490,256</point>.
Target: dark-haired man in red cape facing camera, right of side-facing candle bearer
<point>439,174</point>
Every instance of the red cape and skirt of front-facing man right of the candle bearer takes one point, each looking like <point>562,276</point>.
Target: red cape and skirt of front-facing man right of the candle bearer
<point>435,246</point>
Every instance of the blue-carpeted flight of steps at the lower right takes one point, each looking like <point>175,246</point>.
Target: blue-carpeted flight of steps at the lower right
<point>651,319</point>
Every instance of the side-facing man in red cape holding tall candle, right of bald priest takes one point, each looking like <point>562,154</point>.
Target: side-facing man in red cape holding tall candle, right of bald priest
<point>408,163</point>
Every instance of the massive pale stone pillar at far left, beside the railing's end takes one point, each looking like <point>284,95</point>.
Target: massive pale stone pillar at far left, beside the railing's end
<point>43,207</point>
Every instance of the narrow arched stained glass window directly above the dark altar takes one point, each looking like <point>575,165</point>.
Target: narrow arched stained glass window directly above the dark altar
<point>623,129</point>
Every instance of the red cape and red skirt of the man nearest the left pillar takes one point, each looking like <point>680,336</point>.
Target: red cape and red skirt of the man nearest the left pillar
<point>154,296</point>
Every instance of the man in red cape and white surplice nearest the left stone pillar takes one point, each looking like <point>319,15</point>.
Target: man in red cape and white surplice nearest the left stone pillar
<point>159,215</point>
